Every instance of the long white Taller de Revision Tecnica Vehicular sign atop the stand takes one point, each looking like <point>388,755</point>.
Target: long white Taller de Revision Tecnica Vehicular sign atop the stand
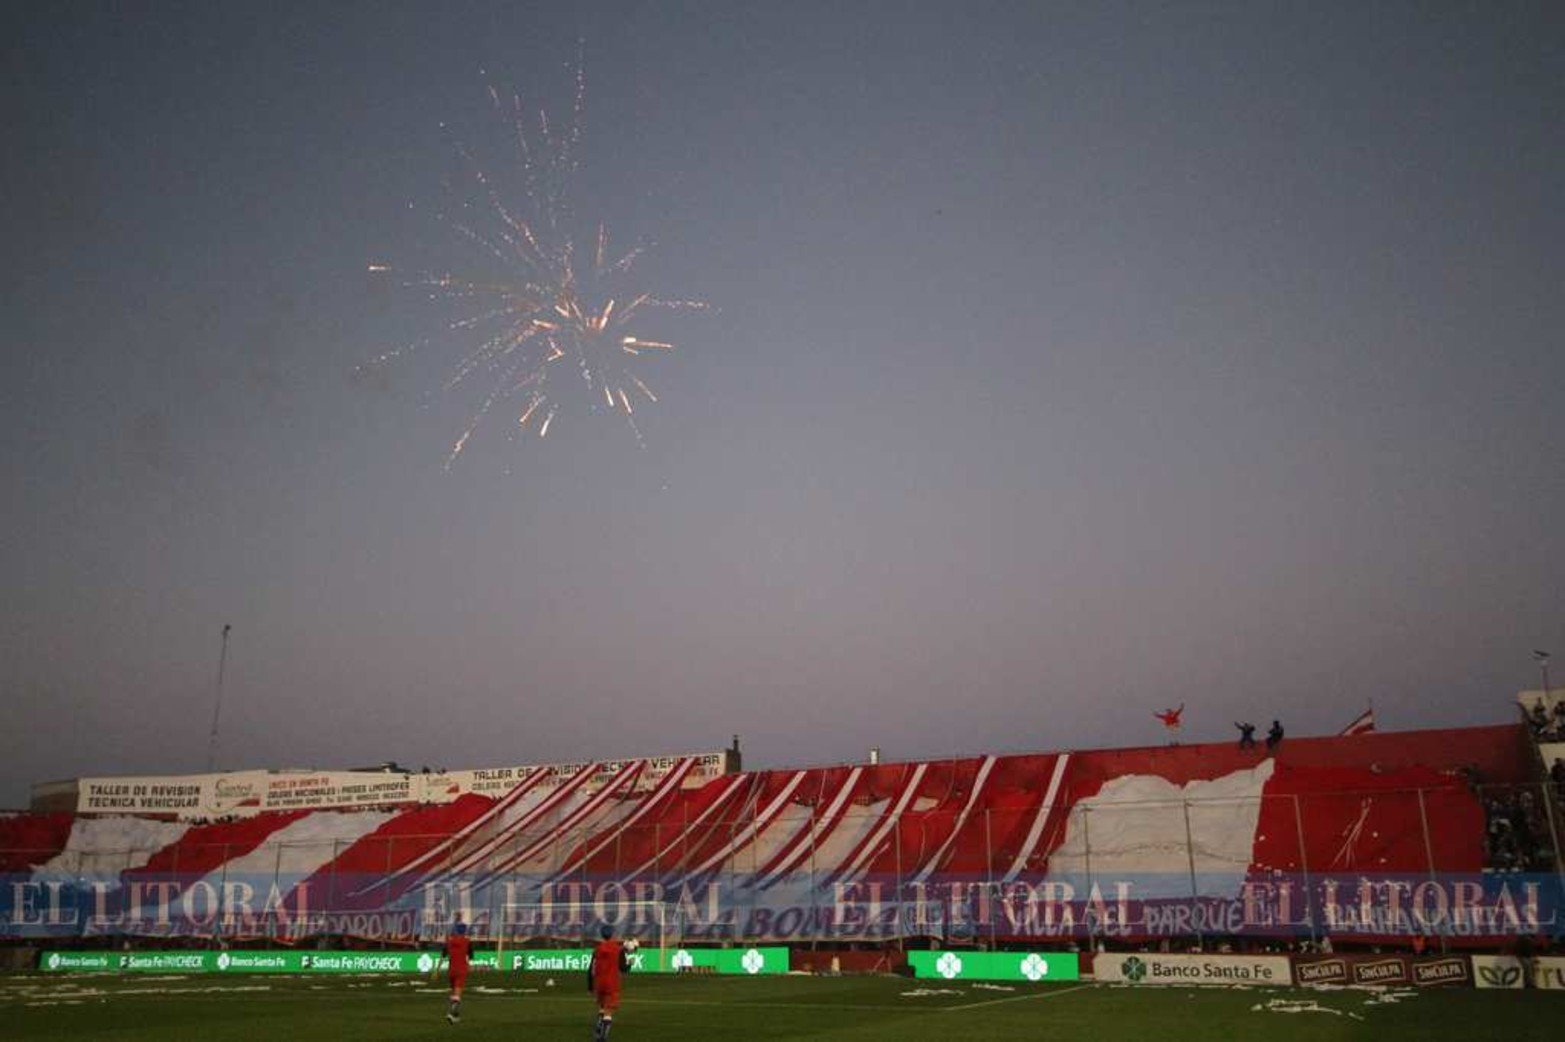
<point>251,792</point>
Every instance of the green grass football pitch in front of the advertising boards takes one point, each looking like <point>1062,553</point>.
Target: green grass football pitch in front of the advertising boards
<point>683,1010</point>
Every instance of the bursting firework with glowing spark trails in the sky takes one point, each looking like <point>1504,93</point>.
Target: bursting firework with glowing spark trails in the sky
<point>544,298</point>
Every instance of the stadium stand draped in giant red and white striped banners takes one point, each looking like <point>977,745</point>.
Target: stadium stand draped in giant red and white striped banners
<point>1187,822</point>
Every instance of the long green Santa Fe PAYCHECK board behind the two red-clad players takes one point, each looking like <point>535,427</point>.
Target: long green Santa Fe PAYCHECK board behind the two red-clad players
<point>738,961</point>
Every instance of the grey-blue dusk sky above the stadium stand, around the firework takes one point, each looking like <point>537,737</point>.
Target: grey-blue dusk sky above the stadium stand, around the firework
<point>1063,364</point>
